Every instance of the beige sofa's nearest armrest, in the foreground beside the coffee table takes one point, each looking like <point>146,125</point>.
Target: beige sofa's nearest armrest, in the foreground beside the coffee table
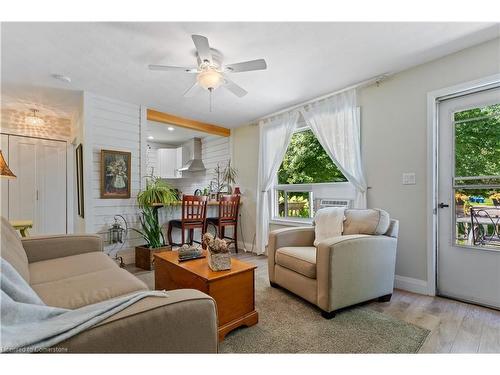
<point>184,322</point>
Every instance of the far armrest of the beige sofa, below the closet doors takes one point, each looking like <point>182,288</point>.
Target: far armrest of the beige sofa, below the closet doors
<point>40,248</point>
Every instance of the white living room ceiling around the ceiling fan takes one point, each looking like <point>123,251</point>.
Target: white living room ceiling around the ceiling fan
<point>305,60</point>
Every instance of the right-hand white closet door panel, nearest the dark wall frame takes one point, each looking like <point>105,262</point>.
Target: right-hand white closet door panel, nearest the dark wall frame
<point>51,182</point>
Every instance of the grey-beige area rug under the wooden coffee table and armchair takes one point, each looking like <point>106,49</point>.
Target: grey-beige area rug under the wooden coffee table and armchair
<point>288,324</point>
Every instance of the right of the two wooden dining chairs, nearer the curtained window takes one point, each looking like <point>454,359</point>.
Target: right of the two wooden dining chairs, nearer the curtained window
<point>228,217</point>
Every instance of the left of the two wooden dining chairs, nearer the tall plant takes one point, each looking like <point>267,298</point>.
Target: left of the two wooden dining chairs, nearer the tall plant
<point>193,216</point>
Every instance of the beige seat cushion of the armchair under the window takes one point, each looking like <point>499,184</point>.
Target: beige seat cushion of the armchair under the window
<point>299,259</point>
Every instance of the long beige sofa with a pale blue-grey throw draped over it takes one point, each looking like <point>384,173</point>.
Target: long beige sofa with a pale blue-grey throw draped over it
<point>71,271</point>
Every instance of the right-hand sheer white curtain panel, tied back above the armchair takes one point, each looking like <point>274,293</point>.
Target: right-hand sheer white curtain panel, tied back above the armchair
<point>335,123</point>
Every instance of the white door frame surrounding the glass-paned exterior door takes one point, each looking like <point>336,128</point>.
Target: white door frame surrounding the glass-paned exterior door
<point>433,99</point>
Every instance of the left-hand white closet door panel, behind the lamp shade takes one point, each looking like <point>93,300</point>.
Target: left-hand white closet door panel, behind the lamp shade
<point>23,189</point>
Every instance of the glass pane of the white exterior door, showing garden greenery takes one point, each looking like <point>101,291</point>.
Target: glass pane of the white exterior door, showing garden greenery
<point>476,181</point>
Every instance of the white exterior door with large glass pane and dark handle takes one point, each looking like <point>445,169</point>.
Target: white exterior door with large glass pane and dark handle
<point>468,210</point>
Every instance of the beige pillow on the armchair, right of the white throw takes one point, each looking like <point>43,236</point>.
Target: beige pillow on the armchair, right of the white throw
<point>370,221</point>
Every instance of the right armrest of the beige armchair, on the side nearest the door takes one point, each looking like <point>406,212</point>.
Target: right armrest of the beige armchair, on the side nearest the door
<point>354,268</point>
